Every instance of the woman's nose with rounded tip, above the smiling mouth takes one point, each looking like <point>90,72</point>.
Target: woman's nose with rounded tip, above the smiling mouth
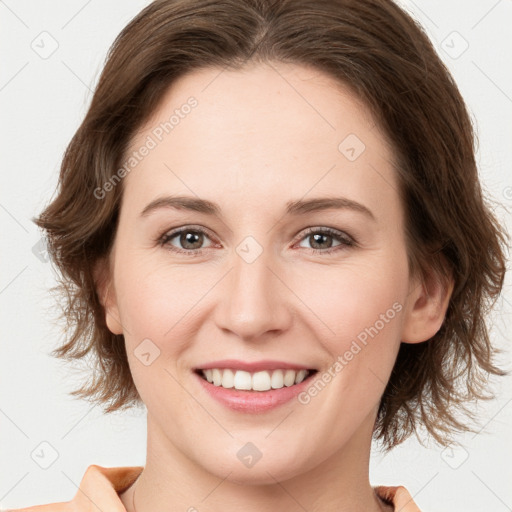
<point>254,299</point>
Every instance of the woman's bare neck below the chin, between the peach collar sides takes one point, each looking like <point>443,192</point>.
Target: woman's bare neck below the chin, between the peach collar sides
<point>172,480</point>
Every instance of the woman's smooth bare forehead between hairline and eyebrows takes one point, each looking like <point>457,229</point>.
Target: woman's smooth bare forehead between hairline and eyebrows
<point>258,132</point>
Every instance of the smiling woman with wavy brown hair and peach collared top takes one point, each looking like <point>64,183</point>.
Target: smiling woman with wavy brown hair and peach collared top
<point>272,234</point>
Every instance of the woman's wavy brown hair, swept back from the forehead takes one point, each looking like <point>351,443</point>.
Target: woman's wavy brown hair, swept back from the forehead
<point>379,52</point>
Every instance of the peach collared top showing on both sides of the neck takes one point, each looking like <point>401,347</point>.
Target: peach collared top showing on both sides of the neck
<point>100,488</point>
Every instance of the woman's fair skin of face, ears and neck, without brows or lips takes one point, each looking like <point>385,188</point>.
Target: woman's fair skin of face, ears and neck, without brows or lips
<point>257,139</point>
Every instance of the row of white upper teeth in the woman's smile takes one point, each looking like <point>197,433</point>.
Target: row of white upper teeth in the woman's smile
<point>259,381</point>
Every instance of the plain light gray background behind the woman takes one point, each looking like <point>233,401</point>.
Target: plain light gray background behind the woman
<point>43,99</point>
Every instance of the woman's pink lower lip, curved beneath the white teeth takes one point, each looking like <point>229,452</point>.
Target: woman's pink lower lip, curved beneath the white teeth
<point>254,401</point>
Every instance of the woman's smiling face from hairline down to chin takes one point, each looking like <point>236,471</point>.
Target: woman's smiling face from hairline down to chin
<point>270,276</point>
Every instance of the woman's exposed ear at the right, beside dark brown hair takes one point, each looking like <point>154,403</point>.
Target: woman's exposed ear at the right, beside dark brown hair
<point>426,307</point>
